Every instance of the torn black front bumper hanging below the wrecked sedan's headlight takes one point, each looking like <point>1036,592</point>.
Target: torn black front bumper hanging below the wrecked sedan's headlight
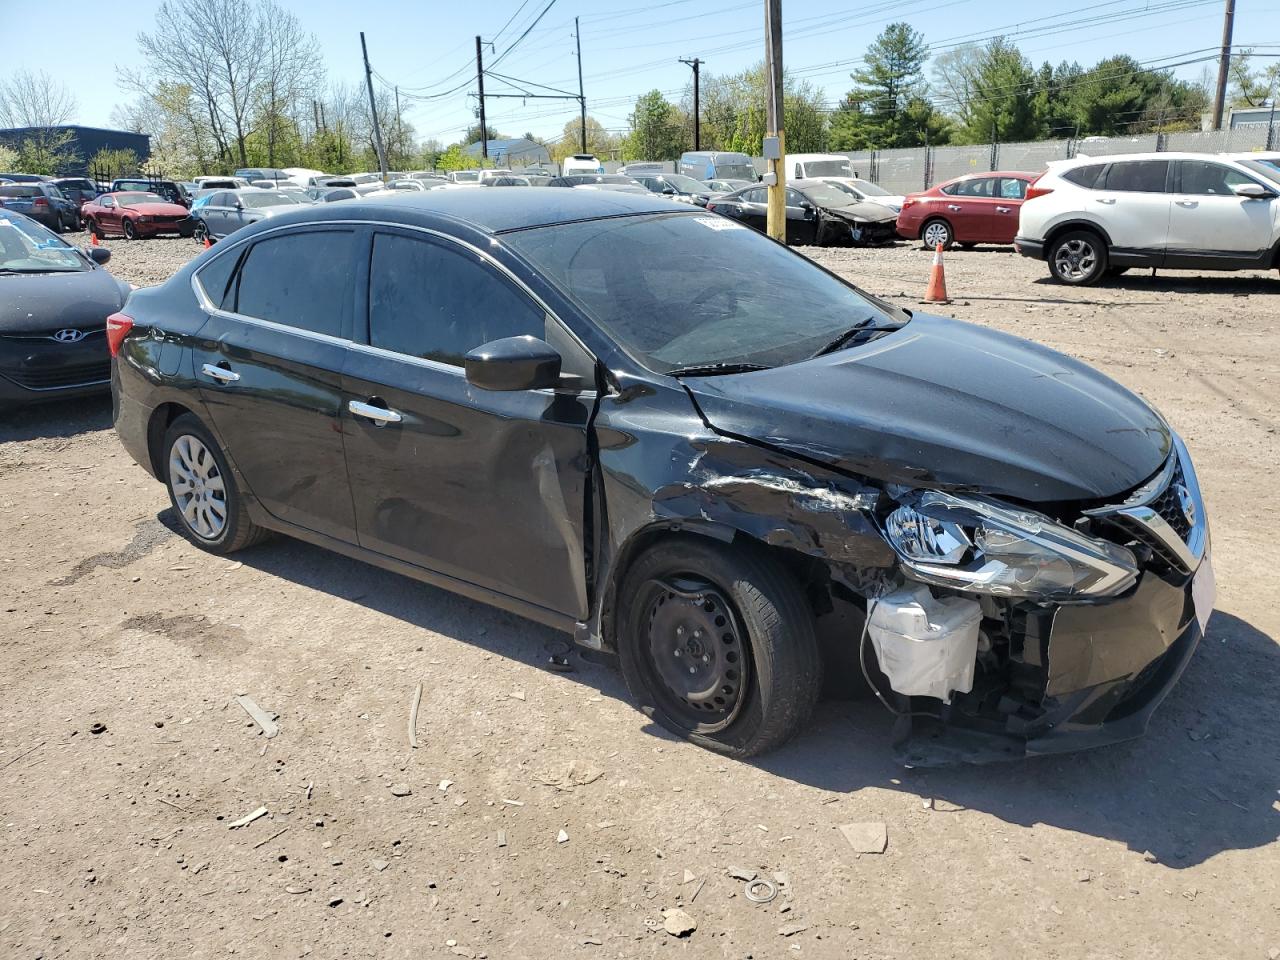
<point>1108,666</point>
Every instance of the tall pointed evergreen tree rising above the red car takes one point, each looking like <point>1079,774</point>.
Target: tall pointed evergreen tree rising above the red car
<point>889,106</point>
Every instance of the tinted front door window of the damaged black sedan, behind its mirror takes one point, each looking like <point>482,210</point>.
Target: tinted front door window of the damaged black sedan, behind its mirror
<point>432,301</point>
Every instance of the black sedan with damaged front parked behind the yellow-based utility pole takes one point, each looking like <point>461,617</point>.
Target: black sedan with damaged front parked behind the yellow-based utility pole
<point>817,213</point>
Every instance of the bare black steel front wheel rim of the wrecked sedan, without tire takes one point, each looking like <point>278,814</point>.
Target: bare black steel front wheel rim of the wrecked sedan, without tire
<point>697,660</point>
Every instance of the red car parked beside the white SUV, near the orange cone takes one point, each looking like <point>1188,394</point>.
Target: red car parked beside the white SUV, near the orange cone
<point>981,208</point>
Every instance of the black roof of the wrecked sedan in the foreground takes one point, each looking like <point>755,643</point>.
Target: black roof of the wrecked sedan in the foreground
<point>493,212</point>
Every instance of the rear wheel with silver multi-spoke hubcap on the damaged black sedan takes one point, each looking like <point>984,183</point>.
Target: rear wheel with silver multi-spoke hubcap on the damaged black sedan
<point>203,490</point>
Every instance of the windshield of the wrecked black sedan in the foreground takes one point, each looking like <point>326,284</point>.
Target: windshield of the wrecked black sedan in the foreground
<point>693,290</point>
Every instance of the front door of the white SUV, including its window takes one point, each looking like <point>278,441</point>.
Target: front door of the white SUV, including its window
<point>1206,220</point>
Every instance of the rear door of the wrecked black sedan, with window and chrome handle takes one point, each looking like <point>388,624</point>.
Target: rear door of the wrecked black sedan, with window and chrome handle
<point>269,367</point>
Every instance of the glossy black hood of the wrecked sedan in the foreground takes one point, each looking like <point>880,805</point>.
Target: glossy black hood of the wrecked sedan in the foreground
<point>947,404</point>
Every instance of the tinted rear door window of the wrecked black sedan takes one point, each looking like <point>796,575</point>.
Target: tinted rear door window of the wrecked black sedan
<point>301,280</point>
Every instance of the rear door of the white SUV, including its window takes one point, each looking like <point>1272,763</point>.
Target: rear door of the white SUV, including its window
<point>1132,203</point>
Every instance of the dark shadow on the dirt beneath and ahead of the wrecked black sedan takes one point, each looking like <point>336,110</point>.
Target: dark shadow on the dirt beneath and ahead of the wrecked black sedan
<point>1203,781</point>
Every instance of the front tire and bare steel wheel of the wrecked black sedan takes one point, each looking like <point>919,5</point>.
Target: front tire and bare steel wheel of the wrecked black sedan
<point>717,644</point>
